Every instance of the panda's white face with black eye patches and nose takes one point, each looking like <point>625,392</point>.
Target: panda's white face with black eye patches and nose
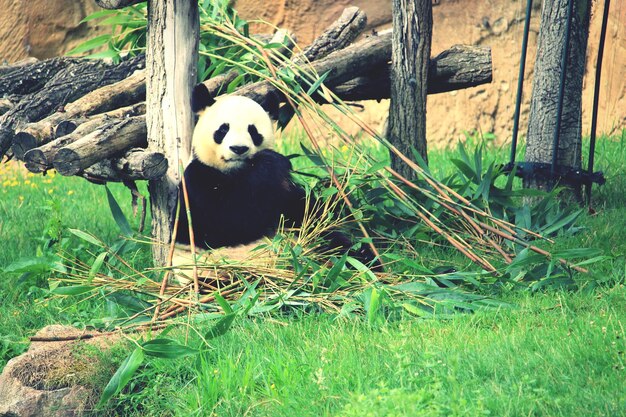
<point>230,132</point>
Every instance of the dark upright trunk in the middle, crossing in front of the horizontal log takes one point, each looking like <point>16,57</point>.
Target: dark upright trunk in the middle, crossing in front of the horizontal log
<point>412,29</point>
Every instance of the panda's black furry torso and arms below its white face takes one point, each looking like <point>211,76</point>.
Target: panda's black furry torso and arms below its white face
<point>235,208</point>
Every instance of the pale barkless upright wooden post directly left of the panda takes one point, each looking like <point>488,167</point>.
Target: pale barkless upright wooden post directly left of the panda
<point>171,63</point>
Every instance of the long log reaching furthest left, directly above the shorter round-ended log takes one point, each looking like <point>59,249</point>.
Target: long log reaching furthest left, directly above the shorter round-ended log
<point>123,93</point>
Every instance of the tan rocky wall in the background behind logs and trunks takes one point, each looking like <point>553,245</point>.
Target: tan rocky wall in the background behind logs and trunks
<point>43,29</point>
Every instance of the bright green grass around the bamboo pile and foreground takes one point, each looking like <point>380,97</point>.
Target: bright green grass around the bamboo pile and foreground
<point>554,353</point>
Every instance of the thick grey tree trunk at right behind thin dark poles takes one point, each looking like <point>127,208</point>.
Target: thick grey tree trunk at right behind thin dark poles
<point>545,93</point>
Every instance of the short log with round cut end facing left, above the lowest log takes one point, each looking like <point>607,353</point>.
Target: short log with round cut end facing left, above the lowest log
<point>111,139</point>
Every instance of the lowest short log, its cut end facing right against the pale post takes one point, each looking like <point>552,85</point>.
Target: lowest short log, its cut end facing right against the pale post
<point>135,164</point>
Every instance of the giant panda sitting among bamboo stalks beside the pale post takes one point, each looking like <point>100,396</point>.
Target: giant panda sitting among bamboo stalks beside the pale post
<point>238,187</point>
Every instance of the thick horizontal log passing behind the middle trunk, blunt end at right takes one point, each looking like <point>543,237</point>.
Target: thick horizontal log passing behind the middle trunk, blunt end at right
<point>459,67</point>
